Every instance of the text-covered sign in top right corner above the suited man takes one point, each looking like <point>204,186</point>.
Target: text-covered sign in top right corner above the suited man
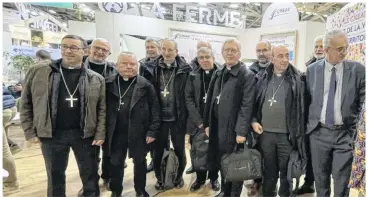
<point>352,21</point>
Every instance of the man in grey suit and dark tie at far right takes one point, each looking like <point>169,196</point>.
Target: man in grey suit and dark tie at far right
<point>336,92</point>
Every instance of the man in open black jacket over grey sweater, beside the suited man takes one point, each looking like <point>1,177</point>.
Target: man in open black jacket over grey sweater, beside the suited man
<point>279,119</point>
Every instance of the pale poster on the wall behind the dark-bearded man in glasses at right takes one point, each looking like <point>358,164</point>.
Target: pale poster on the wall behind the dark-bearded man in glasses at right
<point>287,39</point>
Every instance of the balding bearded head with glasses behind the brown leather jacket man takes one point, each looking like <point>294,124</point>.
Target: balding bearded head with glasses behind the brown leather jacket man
<point>99,50</point>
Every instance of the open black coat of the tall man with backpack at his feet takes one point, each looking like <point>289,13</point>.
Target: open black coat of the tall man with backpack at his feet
<point>151,71</point>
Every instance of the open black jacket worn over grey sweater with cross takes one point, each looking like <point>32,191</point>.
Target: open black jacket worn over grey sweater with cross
<point>295,104</point>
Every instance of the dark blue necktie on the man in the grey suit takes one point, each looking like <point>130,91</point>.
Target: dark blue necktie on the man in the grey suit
<point>329,113</point>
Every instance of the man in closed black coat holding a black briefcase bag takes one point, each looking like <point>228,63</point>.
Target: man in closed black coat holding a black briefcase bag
<point>228,110</point>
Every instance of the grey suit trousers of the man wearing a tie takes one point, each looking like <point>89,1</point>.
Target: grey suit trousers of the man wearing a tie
<point>331,153</point>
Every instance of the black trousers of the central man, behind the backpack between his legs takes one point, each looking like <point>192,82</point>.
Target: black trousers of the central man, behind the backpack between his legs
<point>178,140</point>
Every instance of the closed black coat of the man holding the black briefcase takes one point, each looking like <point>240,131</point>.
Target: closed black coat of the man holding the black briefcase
<point>236,105</point>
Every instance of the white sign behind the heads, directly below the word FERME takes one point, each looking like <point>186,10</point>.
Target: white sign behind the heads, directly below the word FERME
<point>187,41</point>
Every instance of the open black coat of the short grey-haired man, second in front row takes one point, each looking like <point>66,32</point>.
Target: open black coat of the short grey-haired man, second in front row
<point>144,119</point>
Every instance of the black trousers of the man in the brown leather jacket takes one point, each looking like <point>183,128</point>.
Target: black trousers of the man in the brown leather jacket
<point>56,154</point>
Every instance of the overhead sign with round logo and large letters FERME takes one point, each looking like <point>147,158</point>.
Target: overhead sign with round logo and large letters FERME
<point>181,12</point>
